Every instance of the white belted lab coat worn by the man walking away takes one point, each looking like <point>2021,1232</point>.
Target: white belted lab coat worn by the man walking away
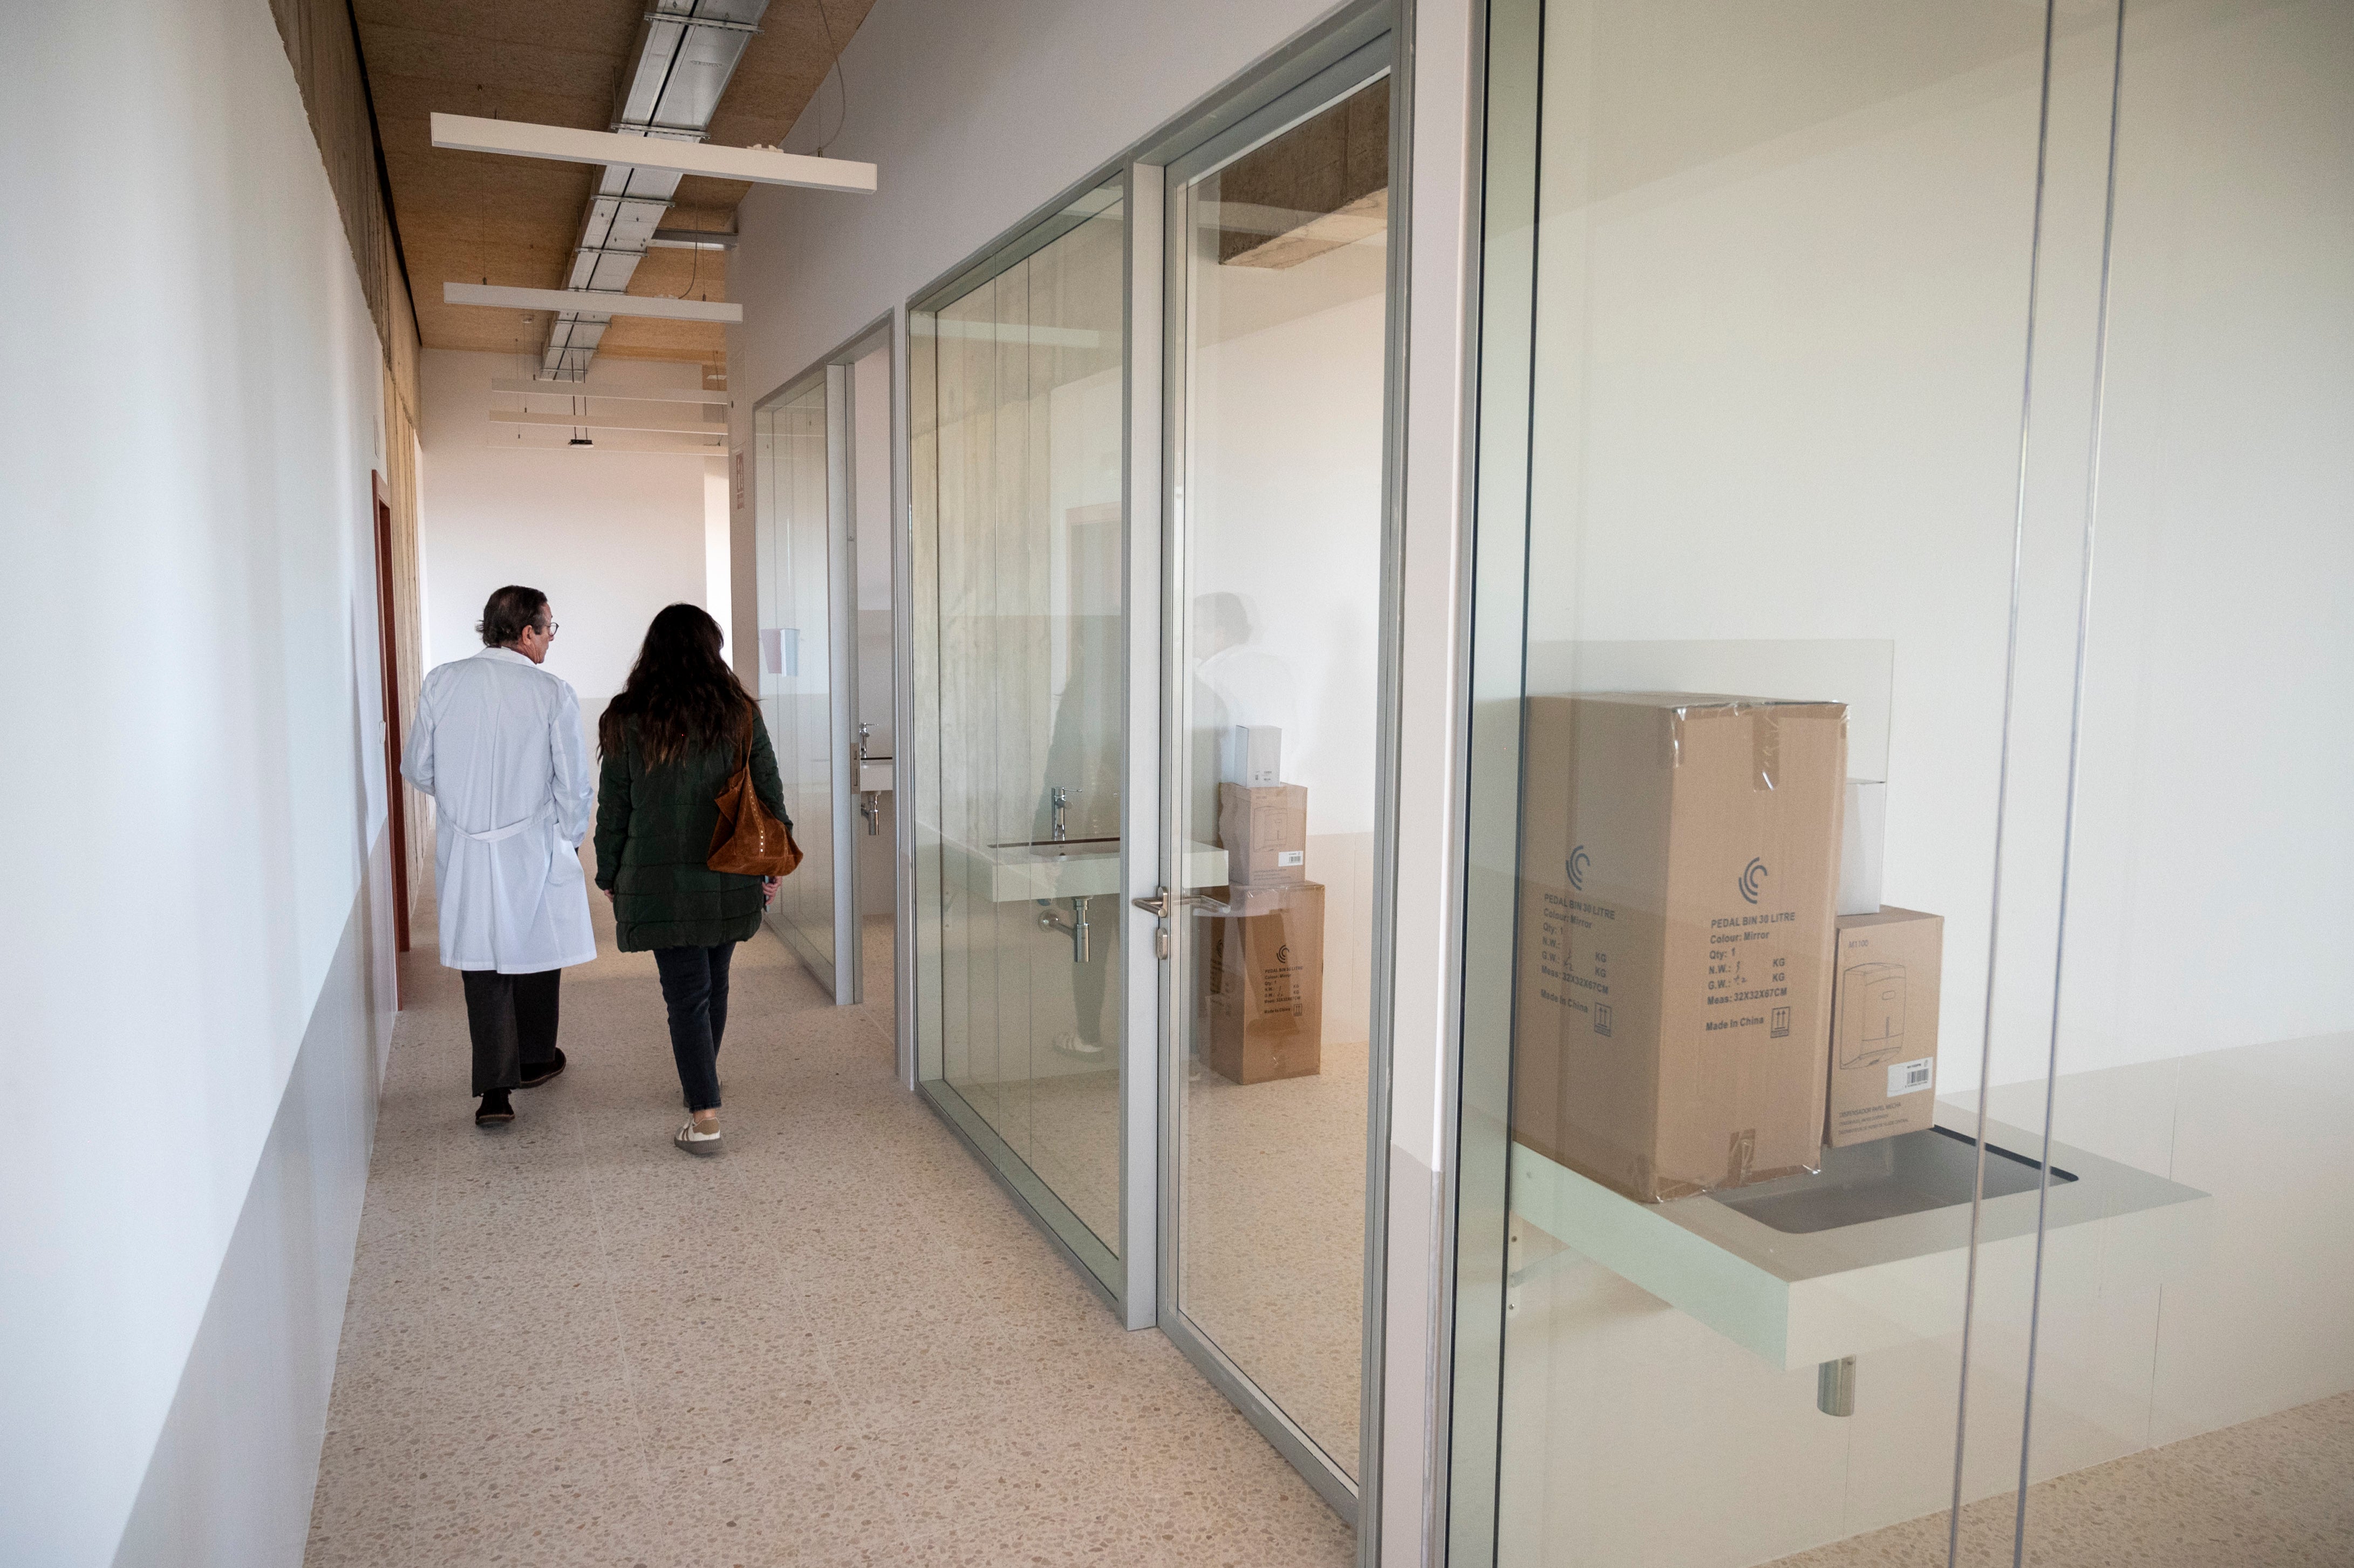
<point>498,745</point>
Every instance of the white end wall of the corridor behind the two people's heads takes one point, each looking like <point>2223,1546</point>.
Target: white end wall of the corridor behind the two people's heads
<point>609,536</point>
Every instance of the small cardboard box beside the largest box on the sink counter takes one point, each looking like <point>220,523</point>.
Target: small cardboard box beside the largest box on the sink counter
<point>1884,1025</point>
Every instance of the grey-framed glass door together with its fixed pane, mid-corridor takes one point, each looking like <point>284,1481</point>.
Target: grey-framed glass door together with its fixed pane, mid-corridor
<point>1148,762</point>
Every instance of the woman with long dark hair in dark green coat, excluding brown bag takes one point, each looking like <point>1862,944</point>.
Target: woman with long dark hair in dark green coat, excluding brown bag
<point>670,743</point>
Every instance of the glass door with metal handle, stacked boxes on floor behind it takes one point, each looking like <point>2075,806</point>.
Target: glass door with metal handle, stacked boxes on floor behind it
<point>1277,371</point>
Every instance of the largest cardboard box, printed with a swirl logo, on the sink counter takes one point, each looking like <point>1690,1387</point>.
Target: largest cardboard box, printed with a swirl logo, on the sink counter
<point>1680,858</point>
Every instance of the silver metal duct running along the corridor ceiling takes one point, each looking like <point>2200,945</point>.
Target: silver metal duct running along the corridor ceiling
<point>672,88</point>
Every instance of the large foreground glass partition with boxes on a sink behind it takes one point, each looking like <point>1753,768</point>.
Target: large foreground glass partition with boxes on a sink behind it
<point>1903,1054</point>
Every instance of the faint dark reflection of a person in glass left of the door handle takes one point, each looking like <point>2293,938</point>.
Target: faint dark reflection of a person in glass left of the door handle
<point>1079,799</point>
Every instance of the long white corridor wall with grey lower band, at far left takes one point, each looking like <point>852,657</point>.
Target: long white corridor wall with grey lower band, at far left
<point>187,425</point>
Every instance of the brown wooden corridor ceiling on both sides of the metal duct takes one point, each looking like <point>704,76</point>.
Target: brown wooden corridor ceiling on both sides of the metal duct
<point>477,218</point>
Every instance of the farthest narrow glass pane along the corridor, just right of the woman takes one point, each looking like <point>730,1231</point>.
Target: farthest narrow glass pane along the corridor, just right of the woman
<point>802,562</point>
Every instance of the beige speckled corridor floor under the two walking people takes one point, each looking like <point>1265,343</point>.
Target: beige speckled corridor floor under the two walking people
<point>837,1343</point>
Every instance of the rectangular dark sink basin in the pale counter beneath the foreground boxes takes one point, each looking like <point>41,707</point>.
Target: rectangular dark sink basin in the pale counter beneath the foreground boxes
<point>1896,1176</point>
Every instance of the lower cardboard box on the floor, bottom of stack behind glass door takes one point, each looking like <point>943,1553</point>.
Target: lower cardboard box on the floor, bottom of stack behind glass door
<point>1265,985</point>
